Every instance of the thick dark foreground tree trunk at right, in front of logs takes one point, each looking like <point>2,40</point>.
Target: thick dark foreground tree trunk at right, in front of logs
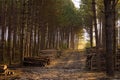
<point>109,32</point>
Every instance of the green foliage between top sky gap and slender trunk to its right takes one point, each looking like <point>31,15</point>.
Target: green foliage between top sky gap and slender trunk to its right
<point>86,12</point>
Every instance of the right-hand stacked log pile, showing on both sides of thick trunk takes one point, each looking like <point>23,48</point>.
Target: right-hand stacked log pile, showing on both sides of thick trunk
<point>92,63</point>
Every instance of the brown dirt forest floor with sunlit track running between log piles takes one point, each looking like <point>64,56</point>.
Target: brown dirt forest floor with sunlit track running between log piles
<point>70,66</point>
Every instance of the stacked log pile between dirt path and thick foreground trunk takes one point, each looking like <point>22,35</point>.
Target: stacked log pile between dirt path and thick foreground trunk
<point>92,63</point>
